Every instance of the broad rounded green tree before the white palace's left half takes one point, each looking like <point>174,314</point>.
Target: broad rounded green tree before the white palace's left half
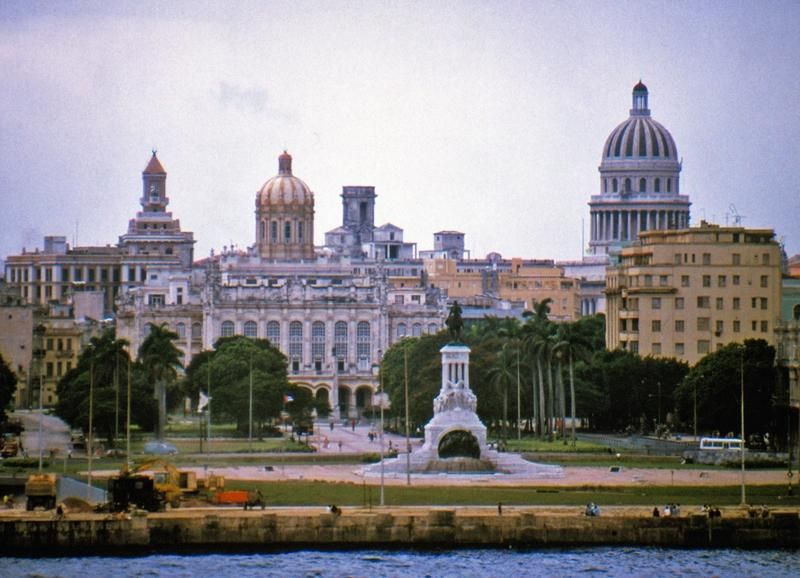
<point>228,370</point>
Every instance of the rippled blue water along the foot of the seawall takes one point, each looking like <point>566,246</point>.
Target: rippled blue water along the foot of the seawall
<point>627,562</point>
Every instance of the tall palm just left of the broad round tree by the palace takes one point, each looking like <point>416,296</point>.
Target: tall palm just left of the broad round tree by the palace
<point>161,360</point>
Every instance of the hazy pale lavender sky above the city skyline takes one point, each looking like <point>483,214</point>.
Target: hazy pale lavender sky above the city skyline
<point>486,117</point>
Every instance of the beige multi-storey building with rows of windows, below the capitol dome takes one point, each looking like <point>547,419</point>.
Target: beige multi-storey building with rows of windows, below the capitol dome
<point>685,293</point>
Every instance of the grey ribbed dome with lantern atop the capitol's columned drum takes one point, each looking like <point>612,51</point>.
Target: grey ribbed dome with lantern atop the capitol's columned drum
<point>640,137</point>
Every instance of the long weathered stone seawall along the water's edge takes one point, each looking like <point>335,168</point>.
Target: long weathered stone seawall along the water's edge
<point>391,528</point>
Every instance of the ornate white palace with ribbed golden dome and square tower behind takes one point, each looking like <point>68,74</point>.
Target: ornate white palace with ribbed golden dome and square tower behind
<point>332,311</point>
